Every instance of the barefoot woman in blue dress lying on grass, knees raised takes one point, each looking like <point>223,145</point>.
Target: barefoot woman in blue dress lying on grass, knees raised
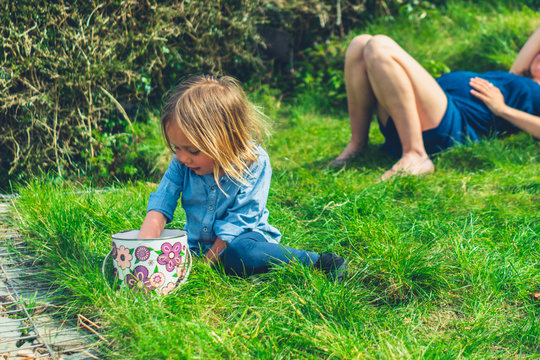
<point>419,115</point>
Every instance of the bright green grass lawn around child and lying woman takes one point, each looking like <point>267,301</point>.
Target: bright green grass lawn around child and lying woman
<point>442,266</point>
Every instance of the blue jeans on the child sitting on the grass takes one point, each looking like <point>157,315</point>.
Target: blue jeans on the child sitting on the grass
<point>251,253</point>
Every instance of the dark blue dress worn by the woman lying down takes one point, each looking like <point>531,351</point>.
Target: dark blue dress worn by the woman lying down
<point>468,118</point>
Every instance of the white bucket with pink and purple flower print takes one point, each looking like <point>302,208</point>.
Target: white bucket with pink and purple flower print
<point>150,265</point>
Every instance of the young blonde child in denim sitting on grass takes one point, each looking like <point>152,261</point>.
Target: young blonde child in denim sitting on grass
<point>223,179</point>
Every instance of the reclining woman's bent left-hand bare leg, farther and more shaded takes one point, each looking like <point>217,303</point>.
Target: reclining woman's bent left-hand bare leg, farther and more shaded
<point>360,100</point>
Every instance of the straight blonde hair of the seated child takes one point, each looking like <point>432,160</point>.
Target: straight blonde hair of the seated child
<point>216,116</point>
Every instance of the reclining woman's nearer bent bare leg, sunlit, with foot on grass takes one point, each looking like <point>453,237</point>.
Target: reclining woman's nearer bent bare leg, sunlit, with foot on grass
<point>405,91</point>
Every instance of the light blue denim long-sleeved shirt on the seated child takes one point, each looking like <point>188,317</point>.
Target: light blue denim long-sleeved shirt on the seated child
<point>209,212</point>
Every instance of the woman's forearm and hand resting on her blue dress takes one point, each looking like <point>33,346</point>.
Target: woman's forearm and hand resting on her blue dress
<point>494,100</point>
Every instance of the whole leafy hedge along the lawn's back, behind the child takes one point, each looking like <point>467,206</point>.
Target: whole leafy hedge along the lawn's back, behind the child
<point>77,79</point>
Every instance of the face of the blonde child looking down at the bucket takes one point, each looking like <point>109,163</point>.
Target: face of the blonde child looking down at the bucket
<point>187,153</point>
